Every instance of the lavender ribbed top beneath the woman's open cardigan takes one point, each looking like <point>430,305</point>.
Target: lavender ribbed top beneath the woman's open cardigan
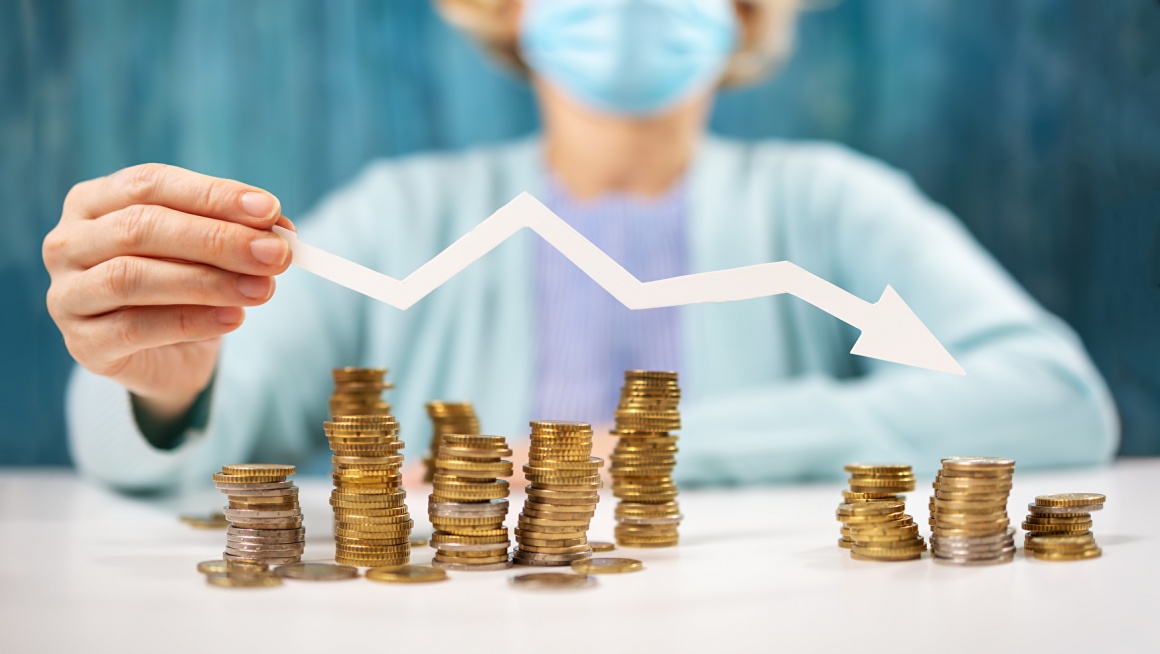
<point>588,339</point>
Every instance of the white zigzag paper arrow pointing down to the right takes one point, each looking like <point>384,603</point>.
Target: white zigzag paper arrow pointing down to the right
<point>890,330</point>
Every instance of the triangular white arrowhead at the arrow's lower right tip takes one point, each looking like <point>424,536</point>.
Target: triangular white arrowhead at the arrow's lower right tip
<point>896,335</point>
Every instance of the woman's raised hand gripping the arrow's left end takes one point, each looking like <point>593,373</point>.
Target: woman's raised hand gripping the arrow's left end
<point>151,266</point>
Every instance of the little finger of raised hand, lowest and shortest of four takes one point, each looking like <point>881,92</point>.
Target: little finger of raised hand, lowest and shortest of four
<point>129,331</point>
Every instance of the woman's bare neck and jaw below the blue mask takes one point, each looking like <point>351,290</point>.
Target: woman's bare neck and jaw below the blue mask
<point>593,155</point>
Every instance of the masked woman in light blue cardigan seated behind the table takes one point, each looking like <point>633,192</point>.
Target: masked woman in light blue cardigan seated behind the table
<point>153,265</point>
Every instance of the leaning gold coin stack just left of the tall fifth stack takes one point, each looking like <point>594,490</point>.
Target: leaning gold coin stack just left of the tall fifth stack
<point>563,491</point>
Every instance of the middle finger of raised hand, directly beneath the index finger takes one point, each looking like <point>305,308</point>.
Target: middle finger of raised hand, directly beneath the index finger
<point>165,234</point>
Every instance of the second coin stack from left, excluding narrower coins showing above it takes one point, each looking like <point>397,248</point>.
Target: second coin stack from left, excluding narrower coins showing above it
<point>372,525</point>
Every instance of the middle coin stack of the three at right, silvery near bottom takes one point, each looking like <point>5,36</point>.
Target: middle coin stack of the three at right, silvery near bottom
<point>969,519</point>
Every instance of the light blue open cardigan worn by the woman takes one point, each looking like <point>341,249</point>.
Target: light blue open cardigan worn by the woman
<point>772,393</point>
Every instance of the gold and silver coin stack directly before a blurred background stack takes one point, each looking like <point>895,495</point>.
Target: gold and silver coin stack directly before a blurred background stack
<point>469,506</point>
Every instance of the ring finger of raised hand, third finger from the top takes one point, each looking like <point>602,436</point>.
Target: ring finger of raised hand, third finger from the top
<point>136,281</point>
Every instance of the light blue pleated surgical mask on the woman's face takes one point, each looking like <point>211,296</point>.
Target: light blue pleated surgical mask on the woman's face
<point>629,57</point>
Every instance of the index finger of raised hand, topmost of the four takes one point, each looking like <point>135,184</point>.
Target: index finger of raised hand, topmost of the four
<point>176,188</point>
